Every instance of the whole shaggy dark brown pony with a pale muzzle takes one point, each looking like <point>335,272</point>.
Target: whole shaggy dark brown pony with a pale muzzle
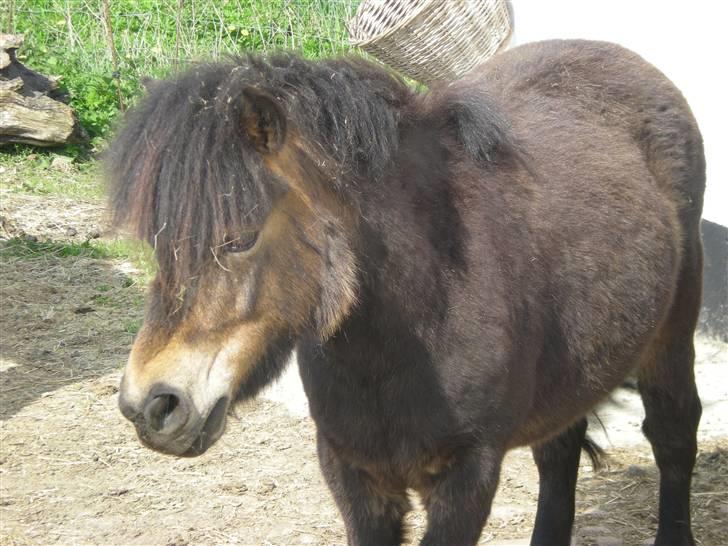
<point>461,272</point>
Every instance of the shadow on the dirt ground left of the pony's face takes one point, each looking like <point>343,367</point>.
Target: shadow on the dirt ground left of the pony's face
<point>64,319</point>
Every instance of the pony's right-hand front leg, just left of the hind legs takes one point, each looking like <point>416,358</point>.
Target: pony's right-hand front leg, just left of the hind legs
<point>459,502</point>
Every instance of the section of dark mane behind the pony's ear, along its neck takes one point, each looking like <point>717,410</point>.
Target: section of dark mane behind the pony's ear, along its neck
<point>349,106</point>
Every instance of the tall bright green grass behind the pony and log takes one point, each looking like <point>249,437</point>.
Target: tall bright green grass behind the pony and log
<point>154,38</point>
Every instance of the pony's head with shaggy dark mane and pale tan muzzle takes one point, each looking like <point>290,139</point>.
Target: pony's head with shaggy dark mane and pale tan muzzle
<point>240,176</point>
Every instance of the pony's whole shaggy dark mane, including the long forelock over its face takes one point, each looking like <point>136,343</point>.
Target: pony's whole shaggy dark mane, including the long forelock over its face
<point>184,176</point>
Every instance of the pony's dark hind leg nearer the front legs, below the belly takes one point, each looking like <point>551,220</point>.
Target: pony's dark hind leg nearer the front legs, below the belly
<point>557,461</point>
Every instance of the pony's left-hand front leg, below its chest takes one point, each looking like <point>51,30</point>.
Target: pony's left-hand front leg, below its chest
<point>372,514</point>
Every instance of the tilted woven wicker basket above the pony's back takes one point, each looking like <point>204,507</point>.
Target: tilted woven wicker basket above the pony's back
<point>431,40</point>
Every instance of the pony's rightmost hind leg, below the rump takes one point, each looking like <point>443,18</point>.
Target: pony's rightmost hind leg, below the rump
<point>672,407</point>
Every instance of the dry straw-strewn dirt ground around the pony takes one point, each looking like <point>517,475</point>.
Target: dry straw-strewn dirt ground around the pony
<point>72,472</point>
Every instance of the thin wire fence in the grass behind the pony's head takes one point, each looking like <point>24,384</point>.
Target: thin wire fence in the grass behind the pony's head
<point>174,30</point>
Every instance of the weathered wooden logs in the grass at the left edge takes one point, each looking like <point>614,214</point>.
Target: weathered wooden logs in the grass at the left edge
<point>32,108</point>
